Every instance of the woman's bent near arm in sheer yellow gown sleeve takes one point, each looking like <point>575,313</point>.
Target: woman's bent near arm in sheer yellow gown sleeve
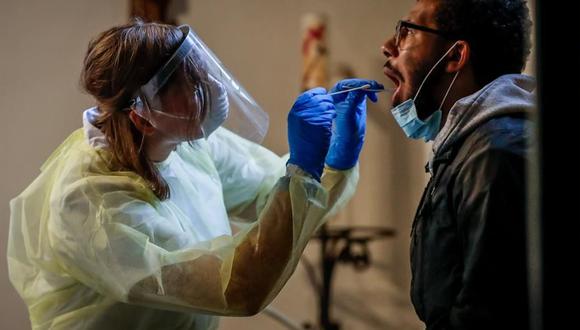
<point>121,246</point>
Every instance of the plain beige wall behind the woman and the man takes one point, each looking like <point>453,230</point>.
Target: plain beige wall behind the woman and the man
<point>42,47</point>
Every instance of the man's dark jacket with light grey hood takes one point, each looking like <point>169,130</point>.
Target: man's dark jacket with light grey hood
<point>468,252</point>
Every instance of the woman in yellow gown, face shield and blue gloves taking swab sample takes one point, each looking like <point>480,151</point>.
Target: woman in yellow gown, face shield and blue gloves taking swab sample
<point>155,216</point>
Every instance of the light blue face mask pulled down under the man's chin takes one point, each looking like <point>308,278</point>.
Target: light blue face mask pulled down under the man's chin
<point>406,113</point>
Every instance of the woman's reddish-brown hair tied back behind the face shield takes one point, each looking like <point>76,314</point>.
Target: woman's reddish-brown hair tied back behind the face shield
<point>117,63</point>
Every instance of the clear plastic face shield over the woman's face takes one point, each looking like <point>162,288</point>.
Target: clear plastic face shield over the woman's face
<point>193,107</point>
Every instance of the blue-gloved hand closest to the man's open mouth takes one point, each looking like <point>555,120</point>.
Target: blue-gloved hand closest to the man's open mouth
<point>350,124</point>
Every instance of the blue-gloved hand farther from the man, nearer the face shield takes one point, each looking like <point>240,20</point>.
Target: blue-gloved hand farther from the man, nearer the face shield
<point>309,130</point>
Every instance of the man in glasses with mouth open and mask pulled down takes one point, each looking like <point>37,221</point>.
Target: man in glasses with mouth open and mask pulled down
<point>456,66</point>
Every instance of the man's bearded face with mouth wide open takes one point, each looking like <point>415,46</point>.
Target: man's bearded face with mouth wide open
<point>409,61</point>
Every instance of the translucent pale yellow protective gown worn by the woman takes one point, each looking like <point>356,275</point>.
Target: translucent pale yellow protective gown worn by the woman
<point>91,248</point>
